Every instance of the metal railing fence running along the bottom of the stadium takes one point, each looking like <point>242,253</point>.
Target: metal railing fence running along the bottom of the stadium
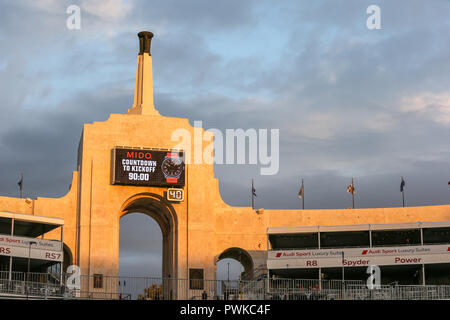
<point>49,286</point>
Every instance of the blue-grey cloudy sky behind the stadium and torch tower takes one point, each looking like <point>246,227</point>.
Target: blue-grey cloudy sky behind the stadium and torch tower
<point>348,101</point>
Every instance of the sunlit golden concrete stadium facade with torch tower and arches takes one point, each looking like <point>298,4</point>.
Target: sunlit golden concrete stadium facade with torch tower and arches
<point>116,159</point>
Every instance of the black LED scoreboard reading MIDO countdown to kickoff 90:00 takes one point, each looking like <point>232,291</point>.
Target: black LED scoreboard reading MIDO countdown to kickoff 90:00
<point>139,167</point>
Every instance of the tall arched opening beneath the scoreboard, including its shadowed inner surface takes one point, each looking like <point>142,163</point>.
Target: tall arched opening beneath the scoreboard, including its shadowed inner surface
<point>147,248</point>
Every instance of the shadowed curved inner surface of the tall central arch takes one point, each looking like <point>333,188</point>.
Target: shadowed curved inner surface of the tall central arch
<point>165,215</point>
